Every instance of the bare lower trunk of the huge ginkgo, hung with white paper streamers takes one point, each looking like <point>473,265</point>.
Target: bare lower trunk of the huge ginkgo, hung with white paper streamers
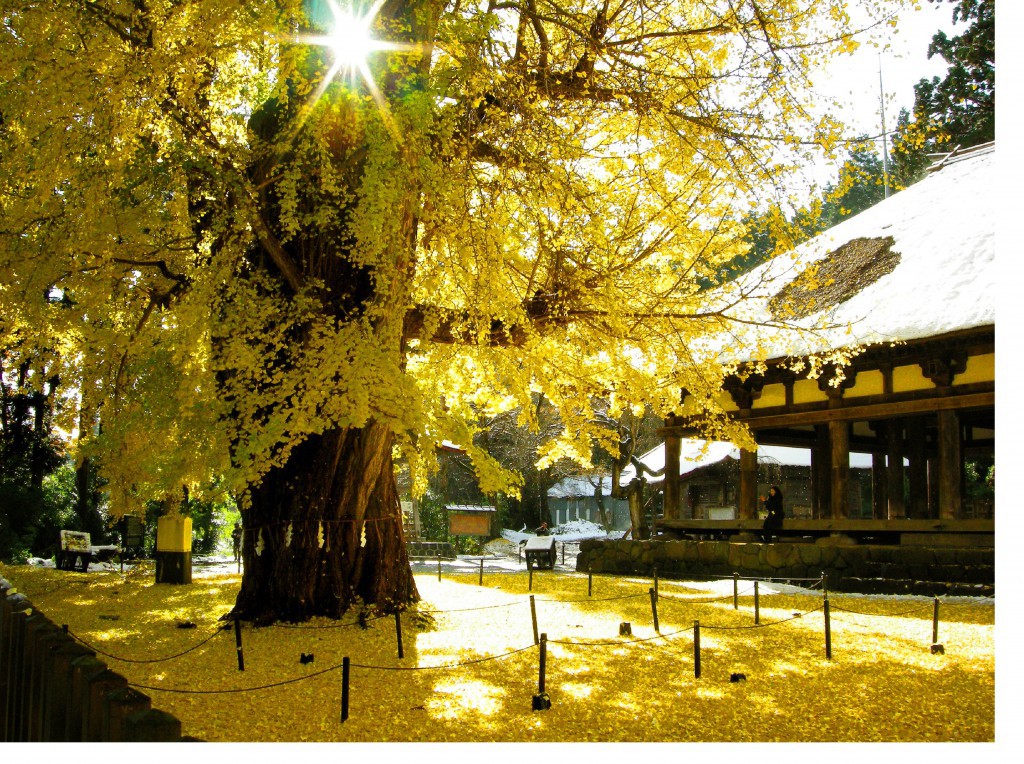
<point>325,531</point>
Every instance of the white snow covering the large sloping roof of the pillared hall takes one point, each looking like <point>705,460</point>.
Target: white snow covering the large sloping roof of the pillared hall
<point>944,231</point>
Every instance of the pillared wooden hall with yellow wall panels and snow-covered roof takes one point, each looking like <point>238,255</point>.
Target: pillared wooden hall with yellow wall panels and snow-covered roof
<point>913,281</point>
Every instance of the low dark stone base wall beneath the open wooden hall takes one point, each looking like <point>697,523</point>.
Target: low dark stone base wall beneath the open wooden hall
<point>867,569</point>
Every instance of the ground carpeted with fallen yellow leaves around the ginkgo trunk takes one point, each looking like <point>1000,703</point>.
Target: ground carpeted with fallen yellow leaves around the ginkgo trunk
<point>471,666</point>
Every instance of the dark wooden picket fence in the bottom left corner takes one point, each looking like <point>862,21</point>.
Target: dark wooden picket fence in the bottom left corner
<point>54,690</point>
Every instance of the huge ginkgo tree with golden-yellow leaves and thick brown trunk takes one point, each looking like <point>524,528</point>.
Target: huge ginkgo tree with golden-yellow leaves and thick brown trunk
<point>278,245</point>
